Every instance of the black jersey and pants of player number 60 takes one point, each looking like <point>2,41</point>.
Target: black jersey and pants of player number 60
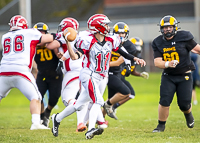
<point>176,79</point>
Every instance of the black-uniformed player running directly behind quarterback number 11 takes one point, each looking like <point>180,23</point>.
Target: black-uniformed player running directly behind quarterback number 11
<point>117,89</point>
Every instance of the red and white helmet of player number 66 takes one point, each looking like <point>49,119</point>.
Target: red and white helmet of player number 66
<point>18,22</point>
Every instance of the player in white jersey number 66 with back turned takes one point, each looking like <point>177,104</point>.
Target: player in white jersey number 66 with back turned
<point>19,46</point>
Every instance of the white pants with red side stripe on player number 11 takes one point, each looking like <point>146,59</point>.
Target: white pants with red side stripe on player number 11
<point>94,87</point>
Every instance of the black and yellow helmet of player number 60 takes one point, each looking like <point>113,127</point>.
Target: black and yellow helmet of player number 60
<point>167,21</point>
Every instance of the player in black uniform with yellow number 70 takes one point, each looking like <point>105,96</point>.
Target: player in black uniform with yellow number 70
<point>47,78</point>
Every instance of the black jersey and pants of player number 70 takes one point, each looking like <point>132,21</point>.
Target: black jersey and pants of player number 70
<point>47,77</point>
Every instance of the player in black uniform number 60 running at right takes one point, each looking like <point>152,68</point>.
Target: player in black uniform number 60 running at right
<point>171,53</point>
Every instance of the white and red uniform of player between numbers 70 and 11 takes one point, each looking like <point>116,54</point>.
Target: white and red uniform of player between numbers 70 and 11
<point>71,71</point>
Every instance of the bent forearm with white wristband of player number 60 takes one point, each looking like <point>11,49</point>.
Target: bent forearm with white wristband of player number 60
<point>158,62</point>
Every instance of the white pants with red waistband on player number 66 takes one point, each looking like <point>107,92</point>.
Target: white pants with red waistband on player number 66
<point>24,81</point>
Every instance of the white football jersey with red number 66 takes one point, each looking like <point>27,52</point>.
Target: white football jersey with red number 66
<point>19,47</point>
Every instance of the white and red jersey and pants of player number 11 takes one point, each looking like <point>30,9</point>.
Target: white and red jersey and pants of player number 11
<point>93,73</point>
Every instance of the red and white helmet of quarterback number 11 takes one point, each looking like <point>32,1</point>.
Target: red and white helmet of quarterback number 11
<point>97,23</point>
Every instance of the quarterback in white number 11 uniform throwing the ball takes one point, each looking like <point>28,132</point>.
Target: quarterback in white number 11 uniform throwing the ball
<point>96,46</point>
